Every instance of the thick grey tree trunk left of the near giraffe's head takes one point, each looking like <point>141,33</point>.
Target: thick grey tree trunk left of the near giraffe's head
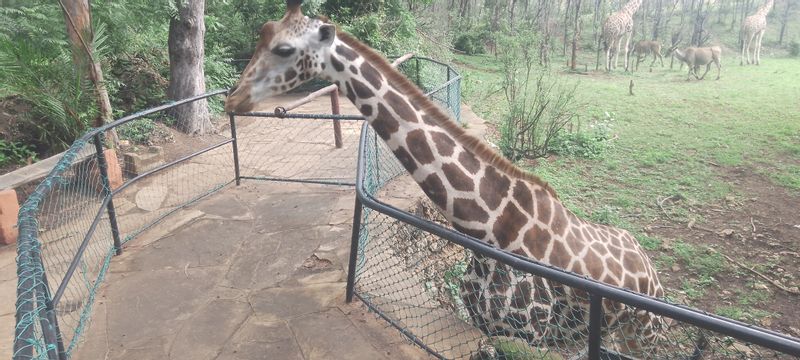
<point>187,78</point>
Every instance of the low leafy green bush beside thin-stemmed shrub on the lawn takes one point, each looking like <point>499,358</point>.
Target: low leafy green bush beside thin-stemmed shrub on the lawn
<point>590,142</point>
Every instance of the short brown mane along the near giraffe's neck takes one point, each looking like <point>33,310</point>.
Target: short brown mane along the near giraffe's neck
<point>469,142</point>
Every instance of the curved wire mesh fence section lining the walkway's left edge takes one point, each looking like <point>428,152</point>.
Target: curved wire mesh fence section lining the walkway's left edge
<point>92,202</point>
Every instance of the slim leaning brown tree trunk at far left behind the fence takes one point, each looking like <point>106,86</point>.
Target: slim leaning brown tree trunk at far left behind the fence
<point>77,15</point>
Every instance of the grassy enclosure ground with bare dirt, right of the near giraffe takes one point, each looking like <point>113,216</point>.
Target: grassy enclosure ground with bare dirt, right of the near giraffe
<point>707,154</point>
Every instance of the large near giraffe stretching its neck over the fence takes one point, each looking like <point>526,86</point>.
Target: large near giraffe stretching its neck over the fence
<point>481,193</point>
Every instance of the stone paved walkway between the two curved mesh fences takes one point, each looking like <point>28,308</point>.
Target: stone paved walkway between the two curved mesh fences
<point>253,272</point>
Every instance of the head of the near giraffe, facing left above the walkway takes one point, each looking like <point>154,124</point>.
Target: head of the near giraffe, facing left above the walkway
<point>289,53</point>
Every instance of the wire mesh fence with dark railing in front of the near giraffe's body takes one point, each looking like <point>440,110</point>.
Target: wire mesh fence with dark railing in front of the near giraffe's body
<point>462,299</point>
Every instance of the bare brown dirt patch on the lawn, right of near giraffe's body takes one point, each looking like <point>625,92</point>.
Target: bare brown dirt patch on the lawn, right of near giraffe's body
<point>759,232</point>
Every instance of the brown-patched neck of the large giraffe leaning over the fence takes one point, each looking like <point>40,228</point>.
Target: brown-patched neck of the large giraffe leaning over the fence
<point>481,193</point>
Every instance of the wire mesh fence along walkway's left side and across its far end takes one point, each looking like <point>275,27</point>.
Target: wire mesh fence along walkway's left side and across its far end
<point>97,199</point>
